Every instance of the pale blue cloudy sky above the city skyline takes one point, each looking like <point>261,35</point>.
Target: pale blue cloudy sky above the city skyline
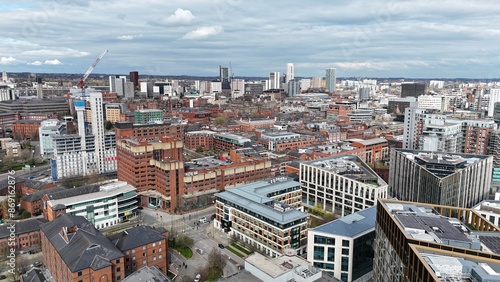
<point>394,38</point>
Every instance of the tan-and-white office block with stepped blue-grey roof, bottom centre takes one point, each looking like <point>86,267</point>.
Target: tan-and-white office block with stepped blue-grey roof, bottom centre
<point>265,214</point>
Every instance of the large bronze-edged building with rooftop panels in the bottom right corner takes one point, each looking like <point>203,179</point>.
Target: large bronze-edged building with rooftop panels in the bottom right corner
<point>425,242</point>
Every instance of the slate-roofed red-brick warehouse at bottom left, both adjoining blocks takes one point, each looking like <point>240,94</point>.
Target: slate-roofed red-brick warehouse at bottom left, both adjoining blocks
<point>75,251</point>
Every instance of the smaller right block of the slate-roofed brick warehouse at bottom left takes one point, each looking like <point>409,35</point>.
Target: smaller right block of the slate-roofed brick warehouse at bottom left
<point>142,246</point>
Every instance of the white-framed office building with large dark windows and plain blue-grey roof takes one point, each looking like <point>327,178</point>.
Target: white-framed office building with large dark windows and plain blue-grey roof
<point>343,247</point>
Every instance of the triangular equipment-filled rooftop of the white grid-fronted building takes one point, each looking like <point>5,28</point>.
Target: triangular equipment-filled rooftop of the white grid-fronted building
<point>349,166</point>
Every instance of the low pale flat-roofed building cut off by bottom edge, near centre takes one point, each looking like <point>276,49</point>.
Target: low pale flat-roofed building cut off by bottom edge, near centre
<point>282,269</point>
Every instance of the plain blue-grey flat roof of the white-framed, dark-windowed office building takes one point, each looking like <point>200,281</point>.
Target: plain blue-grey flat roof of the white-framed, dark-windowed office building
<point>350,225</point>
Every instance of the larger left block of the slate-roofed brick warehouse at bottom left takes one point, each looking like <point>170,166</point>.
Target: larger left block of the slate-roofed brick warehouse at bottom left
<point>73,250</point>
